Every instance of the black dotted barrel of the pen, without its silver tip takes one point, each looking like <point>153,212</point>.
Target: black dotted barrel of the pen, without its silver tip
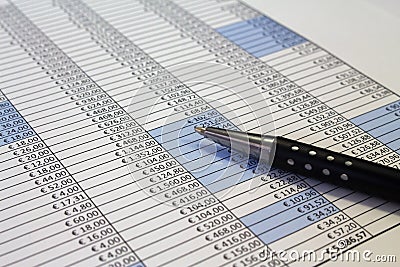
<point>340,169</point>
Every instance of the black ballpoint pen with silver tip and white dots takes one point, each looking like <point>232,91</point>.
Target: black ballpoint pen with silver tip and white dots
<point>312,161</point>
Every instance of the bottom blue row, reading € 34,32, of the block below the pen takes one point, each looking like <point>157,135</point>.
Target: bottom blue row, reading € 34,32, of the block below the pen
<point>288,228</point>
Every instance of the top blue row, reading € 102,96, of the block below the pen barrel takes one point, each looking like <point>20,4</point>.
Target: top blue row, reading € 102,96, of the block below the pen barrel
<point>273,209</point>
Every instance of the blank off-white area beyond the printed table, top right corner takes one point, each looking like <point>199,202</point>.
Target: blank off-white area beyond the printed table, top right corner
<point>346,29</point>
